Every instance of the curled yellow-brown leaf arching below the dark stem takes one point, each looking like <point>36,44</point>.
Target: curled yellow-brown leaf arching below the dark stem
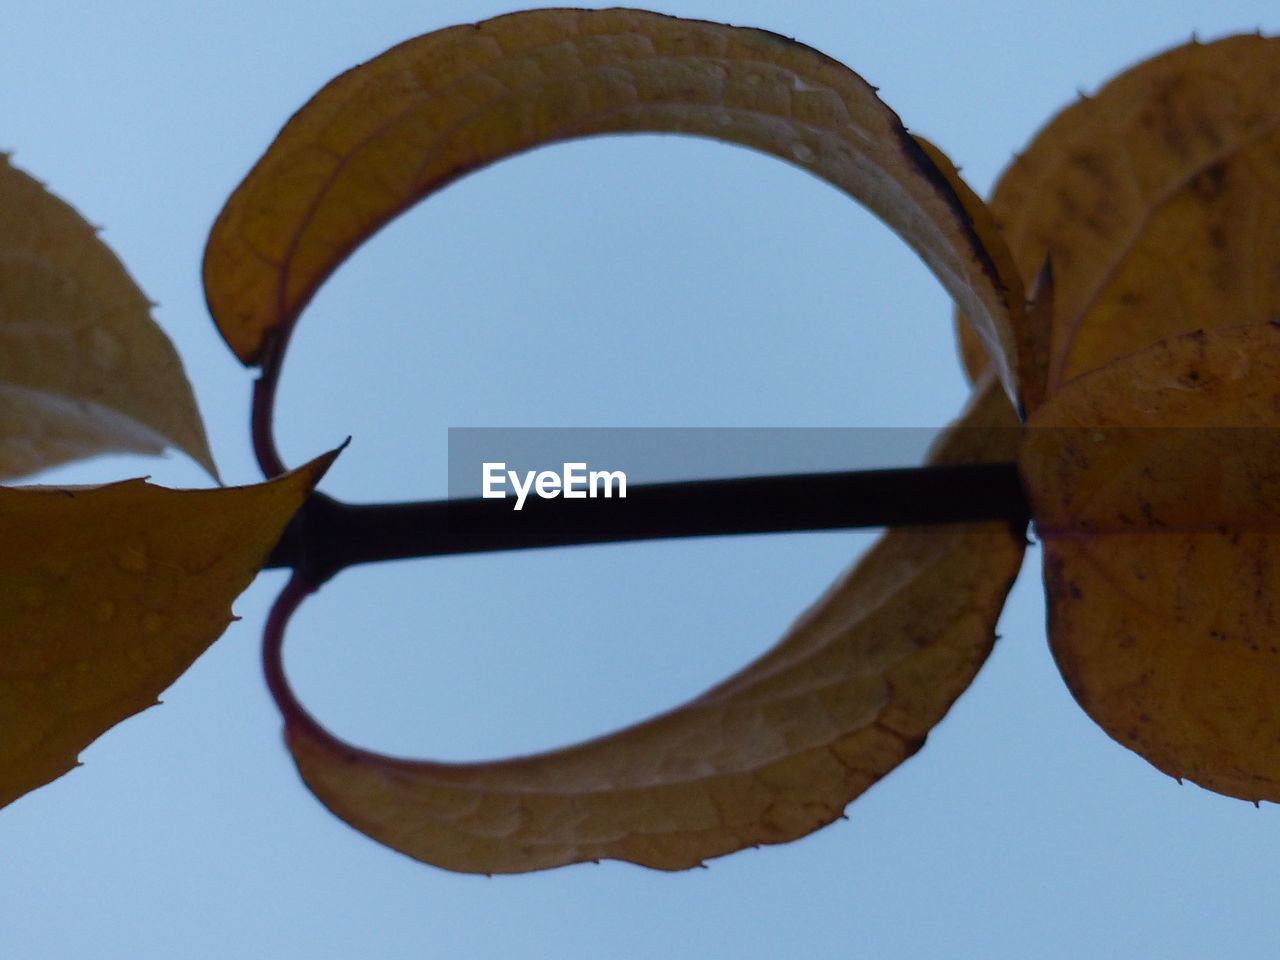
<point>766,757</point>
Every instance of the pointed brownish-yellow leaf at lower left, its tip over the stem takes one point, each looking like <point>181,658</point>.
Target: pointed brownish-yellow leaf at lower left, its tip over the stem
<point>108,595</point>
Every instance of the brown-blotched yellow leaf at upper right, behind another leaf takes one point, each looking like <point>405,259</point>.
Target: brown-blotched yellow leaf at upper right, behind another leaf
<point>1159,203</point>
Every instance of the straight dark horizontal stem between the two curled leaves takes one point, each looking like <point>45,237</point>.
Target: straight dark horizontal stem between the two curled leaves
<point>328,536</point>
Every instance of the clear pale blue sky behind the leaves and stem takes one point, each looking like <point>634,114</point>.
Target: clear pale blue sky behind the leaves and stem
<point>625,282</point>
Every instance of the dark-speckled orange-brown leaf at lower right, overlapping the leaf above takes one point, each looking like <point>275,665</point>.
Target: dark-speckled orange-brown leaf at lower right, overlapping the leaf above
<point>1155,483</point>
